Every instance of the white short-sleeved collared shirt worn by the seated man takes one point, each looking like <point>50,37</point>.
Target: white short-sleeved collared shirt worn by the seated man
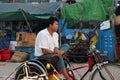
<point>45,40</point>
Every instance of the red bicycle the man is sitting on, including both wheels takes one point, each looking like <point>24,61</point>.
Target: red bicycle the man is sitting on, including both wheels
<point>99,69</point>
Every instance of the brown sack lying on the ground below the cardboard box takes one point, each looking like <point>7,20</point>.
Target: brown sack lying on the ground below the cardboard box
<point>19,56</point>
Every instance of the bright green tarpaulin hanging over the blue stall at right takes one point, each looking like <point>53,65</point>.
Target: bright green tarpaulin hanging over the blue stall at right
<point>87,10</point>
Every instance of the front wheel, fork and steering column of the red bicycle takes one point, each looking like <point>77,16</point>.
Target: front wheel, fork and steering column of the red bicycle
<point>105,70</point>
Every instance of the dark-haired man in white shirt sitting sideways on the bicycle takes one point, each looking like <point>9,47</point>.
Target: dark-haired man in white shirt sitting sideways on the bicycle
<point>47,45</point>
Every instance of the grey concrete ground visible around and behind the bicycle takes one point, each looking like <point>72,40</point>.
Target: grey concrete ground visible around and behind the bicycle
<point>7,68</point>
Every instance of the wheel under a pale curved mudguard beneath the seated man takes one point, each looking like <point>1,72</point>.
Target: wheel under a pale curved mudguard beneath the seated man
<point>33,70</point>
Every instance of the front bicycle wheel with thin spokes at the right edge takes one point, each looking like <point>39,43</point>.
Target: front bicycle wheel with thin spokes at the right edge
<point>109,71</point>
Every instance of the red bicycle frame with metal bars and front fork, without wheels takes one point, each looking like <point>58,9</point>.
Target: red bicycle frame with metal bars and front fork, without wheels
<point>93,59</point>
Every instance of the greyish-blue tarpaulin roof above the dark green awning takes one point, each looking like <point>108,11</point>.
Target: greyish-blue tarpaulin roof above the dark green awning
<point>41,9</point>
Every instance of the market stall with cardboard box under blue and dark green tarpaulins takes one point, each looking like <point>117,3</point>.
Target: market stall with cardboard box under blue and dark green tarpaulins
<point>24,21</point>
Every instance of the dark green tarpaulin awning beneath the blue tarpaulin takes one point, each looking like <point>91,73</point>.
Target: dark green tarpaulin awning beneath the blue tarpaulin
<point>16,15</point>
